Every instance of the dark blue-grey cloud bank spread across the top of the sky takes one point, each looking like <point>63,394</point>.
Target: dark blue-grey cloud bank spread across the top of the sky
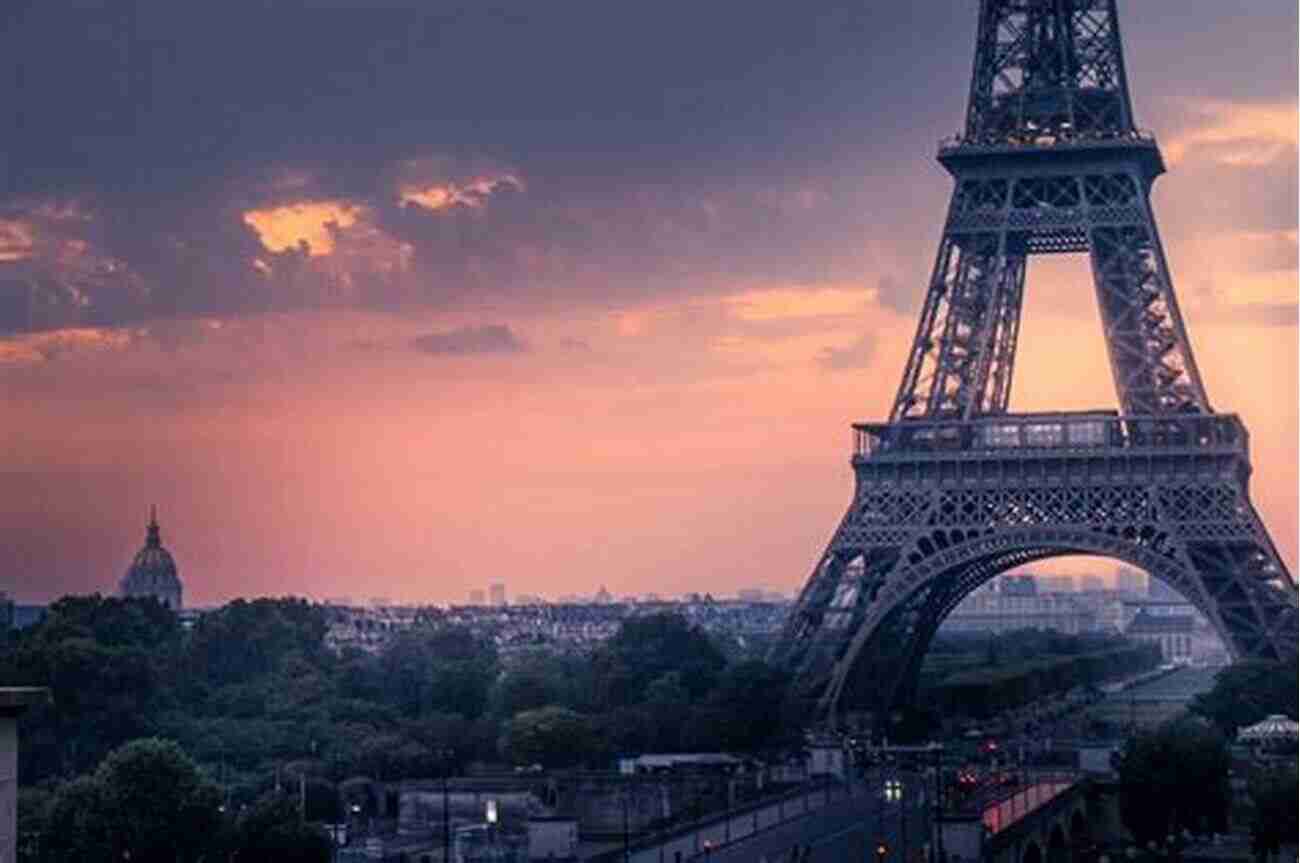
<point>661,148</point>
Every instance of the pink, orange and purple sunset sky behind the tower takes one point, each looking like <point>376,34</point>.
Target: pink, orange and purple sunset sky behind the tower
<point>400,298</point>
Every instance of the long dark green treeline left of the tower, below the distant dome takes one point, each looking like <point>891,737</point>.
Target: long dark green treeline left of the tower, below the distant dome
<point>252,692</point>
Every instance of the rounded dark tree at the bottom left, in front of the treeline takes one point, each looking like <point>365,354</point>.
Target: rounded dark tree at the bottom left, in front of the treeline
<point>148,803</point>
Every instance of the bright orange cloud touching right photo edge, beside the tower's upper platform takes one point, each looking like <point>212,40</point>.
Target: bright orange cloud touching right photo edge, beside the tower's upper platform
<point>1238,136</point>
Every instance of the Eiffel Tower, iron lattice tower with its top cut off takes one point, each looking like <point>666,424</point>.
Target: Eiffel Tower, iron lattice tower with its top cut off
<point>955,489</point>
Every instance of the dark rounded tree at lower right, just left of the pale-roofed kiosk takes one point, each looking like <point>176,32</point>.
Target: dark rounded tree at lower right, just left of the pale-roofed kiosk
<point>1175,779</point>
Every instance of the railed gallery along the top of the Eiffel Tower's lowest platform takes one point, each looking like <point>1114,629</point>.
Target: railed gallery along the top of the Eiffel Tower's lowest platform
<point>1051,432</point>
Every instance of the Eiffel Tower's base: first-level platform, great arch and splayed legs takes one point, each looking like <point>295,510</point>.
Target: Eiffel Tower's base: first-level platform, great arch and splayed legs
<point>934,518</point>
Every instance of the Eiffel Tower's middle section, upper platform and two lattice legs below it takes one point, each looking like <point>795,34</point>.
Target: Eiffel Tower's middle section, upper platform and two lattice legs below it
<point>1095,202</point>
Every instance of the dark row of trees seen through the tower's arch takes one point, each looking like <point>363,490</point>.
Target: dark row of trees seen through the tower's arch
<point>996,687</point>
